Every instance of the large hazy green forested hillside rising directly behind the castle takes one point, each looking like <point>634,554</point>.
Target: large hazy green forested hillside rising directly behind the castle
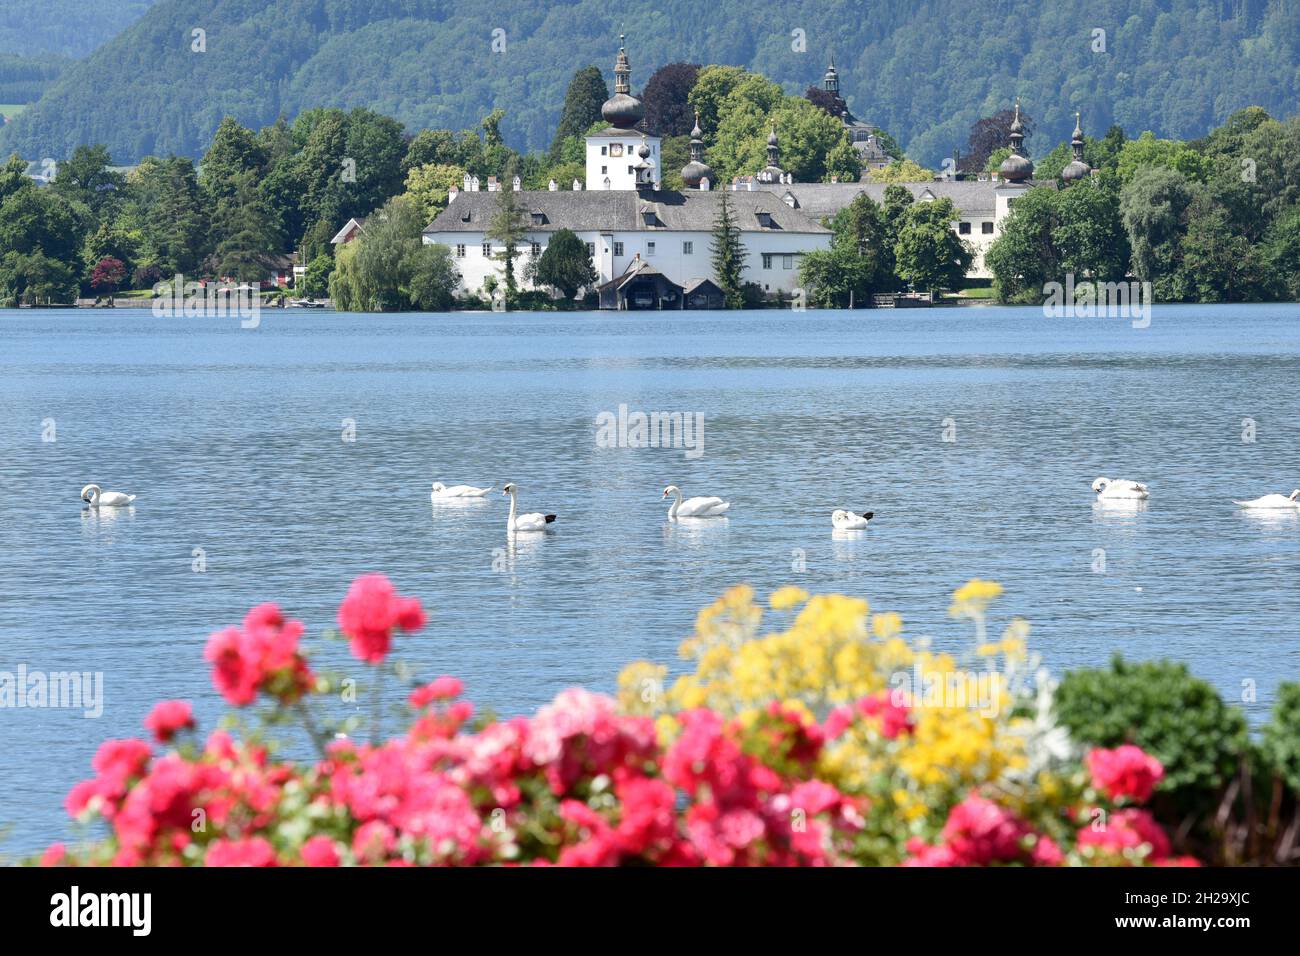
<point>922,70</point>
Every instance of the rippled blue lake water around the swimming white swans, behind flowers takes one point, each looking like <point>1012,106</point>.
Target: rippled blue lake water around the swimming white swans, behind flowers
<point>235,442</point>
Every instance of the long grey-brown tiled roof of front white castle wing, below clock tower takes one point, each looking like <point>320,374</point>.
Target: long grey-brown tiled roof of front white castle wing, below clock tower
<point>588,211</point>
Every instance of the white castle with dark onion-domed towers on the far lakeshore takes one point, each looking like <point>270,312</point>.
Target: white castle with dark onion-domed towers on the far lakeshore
<point>651,248</point>
